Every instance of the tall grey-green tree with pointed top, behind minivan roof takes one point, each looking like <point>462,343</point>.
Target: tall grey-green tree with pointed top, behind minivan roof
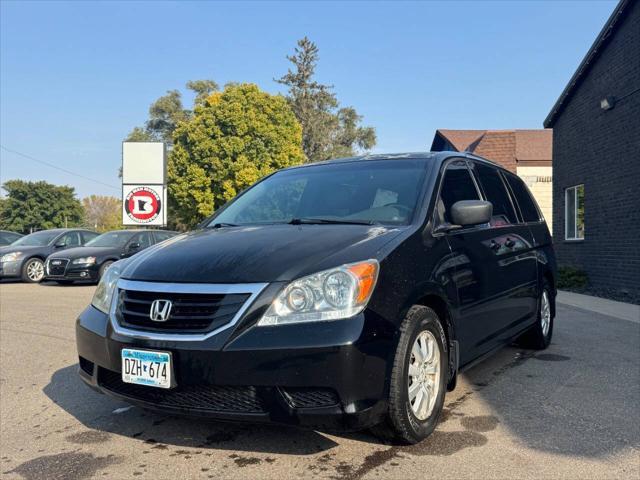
<point>328,131</point>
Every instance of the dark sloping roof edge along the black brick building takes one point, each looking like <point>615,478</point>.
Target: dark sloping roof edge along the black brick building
<point>590,58</point>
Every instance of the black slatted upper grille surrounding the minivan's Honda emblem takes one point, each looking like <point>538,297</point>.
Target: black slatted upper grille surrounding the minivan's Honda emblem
<point>190,312</point>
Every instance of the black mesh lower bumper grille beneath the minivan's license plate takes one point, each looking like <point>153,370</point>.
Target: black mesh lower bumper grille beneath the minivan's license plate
<point>205,398</point>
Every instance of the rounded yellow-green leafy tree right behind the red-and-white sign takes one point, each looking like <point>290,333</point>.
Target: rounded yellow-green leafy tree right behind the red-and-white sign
<point>234,138</point>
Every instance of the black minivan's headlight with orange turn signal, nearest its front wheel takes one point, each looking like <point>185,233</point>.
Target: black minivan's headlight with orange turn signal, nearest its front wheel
<point>340,292</point>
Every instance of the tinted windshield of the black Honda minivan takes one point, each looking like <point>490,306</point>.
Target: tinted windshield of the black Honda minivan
<point>377,191</point>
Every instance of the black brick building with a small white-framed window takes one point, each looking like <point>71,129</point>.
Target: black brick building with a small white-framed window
<point>596,160</point>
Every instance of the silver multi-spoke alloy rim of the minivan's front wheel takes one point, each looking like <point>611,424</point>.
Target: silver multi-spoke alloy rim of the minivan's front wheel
<point>424,375</point>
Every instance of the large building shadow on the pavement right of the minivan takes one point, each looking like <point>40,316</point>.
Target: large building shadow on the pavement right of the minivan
<point>578,398</point>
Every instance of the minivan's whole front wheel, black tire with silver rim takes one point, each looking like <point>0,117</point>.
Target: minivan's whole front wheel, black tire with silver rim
<point>406,422</point>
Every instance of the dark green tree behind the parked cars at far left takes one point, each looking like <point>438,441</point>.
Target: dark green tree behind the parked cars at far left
<point>38,206</point>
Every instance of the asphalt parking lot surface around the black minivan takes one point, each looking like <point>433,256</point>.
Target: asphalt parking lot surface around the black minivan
<point>571,411</point>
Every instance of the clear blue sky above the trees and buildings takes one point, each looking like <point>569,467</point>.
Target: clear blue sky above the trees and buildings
<point>76,77</point>
